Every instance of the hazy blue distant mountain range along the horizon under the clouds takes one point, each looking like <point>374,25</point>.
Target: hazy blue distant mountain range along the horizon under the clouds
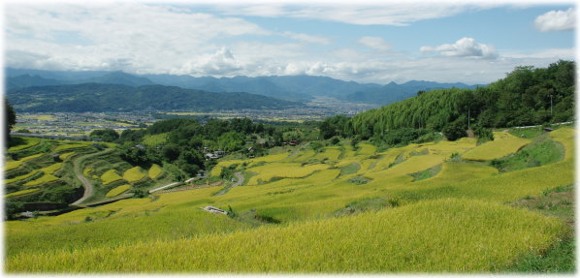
<point>299,88</point>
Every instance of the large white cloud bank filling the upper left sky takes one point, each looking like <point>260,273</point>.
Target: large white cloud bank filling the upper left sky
<point>147,38</point>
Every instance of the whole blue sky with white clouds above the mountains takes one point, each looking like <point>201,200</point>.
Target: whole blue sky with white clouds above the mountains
<point>373,41</point>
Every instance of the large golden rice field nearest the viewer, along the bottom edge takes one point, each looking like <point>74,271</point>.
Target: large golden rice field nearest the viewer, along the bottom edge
<point>441,236</point>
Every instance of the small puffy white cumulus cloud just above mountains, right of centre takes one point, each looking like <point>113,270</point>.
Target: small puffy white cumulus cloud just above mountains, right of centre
<point>464,47</point>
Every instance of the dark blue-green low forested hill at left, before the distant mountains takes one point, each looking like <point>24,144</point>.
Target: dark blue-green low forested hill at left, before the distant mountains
<point>92,97</point>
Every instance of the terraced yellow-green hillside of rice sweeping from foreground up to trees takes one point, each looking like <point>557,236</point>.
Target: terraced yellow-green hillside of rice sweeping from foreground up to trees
<point>429,207</point>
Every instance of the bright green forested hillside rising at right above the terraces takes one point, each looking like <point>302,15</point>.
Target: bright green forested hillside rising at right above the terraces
<point>526,96</point>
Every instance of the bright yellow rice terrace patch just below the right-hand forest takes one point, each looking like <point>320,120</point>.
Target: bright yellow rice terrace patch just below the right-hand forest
<point>502,145</point>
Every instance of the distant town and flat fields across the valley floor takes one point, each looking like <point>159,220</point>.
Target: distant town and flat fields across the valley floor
<point>81,124</point>
